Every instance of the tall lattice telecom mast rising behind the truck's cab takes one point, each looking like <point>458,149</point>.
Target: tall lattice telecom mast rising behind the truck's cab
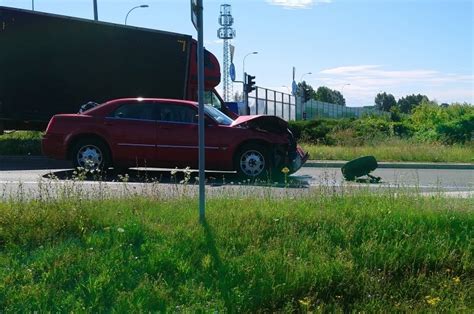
<point>226,32</point>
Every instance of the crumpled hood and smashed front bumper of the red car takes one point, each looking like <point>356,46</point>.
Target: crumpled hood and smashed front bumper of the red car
<point>284,154</point>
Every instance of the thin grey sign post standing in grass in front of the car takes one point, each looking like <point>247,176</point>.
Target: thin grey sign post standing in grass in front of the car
<point>197,19</point>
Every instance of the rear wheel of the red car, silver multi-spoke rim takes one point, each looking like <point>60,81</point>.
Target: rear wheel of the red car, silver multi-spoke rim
<point>91,154</point>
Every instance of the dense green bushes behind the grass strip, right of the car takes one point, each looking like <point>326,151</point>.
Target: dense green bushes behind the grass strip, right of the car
<point>429,123</point>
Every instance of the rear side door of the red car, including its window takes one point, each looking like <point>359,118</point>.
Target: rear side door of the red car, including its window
<point>132,133</point>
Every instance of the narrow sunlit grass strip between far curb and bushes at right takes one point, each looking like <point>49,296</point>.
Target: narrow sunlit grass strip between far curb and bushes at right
<point>395,150</point>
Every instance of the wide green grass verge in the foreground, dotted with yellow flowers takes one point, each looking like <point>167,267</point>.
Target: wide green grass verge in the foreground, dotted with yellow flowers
<point>353,251</point>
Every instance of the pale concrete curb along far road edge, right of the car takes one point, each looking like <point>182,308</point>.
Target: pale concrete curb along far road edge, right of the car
<point>393,165</point>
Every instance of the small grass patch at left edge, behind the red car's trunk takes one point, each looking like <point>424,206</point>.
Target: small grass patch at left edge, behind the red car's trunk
<point>21,143</point>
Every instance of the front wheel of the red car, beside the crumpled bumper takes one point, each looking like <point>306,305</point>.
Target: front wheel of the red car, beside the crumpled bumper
<point>251,161</point>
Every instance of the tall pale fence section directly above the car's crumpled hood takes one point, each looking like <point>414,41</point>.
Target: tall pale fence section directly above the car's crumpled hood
<point>271,102</point>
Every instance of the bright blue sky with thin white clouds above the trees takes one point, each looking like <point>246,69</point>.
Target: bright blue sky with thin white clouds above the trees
<point>397,46</point>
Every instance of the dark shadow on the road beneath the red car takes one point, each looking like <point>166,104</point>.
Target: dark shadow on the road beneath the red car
<point>166,177</point>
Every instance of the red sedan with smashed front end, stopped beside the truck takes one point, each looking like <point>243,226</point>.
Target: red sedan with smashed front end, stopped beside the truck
<point>139,132</point>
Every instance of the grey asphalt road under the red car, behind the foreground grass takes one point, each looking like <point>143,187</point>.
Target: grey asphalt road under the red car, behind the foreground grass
<point>34,177</point>
